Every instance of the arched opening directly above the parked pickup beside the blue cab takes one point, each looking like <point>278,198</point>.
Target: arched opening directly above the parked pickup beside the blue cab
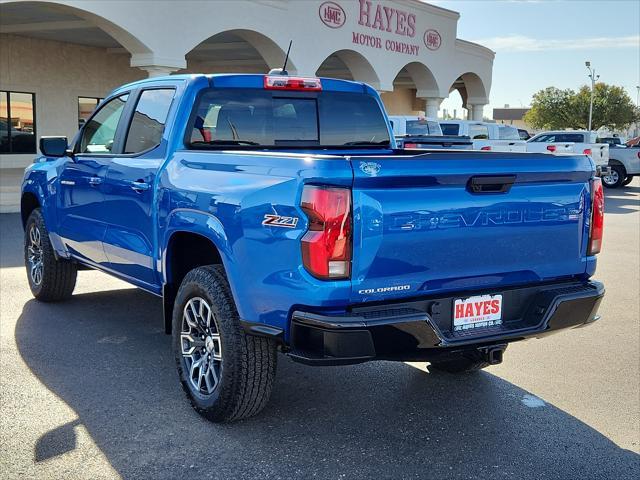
<point>413,84</point>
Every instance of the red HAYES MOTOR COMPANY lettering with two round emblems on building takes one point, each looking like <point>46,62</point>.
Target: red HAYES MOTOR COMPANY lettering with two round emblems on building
<point>375,20</point>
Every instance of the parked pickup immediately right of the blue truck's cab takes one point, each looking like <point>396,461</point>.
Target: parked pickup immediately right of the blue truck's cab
<point>423,133</point>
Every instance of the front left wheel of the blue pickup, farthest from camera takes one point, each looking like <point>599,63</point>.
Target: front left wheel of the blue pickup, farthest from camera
<point>57,277</point>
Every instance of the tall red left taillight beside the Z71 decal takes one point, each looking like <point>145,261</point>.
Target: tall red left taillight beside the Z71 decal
<point>326,247</point>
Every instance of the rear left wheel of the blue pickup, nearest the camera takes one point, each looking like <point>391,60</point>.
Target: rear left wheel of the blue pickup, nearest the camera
<point>245,371</point>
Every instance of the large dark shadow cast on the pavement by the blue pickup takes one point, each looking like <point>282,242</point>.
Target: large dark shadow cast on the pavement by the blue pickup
<point>106,356</point>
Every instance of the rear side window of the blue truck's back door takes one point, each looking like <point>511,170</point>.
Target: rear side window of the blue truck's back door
<point>148,121</point>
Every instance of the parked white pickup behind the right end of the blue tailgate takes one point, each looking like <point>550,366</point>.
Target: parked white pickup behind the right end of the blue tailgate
<point>571,141</point>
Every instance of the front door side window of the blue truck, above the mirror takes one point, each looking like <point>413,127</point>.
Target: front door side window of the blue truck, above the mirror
<point>99,132</point>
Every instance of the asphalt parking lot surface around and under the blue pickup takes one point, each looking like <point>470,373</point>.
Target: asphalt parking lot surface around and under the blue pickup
<point>89,390</point>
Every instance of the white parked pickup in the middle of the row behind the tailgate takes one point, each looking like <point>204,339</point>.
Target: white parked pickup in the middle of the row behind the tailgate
<point>486,136</point>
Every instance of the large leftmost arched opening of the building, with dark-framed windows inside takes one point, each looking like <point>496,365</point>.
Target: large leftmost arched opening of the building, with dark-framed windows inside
<point>79,58</point>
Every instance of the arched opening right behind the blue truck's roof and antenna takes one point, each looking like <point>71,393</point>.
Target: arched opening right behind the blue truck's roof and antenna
<point>237,51</point>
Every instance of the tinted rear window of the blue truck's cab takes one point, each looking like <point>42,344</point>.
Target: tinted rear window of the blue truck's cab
<point>254,117</point>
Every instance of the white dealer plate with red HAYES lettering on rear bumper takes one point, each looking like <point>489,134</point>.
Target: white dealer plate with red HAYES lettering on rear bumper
<point>477,312</point>
